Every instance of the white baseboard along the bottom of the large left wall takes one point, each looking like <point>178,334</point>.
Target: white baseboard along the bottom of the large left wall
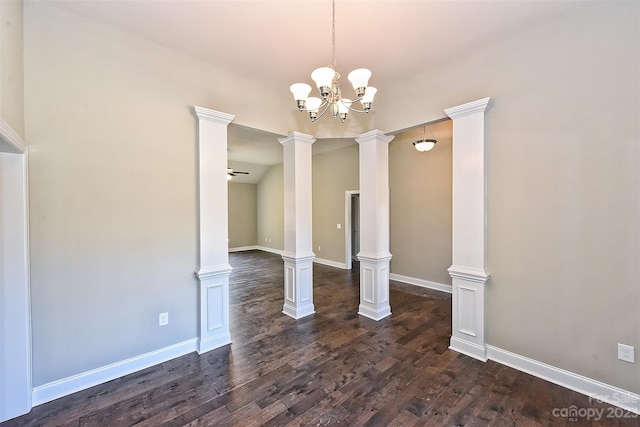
<point>66,386</point>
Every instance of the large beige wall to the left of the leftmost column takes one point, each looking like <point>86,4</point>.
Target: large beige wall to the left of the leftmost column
<point>112,182</point>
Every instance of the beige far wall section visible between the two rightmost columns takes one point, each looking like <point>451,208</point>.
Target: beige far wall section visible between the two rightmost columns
<point>420,208</point>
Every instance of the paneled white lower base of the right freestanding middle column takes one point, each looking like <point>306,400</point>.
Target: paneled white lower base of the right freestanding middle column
<point>374,286</point>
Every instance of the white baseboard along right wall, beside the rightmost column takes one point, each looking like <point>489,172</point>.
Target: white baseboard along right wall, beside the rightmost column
<point>594,389</point>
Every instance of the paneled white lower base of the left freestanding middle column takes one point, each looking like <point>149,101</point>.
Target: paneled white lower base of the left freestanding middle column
<point>298,285</point>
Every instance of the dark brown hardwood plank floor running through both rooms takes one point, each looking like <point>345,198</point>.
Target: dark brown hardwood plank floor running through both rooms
<point>330,368</point>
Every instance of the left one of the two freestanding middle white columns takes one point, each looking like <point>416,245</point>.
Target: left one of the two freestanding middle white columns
<point>298,255</point>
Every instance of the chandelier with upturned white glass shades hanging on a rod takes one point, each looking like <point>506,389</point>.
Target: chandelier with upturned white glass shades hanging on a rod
<point>326,79</point>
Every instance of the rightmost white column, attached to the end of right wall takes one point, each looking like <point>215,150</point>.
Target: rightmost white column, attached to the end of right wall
<point>468,271</point>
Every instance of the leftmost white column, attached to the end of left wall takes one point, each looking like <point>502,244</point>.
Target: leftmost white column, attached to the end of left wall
<point>213,272</point>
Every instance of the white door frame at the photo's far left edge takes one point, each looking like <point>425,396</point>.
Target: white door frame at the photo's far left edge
<point>16,385</point>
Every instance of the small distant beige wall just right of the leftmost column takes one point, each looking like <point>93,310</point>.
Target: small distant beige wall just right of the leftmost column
<point>243,215</point>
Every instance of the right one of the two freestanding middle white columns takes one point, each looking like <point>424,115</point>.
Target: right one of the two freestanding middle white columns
<point>374,255</point>
